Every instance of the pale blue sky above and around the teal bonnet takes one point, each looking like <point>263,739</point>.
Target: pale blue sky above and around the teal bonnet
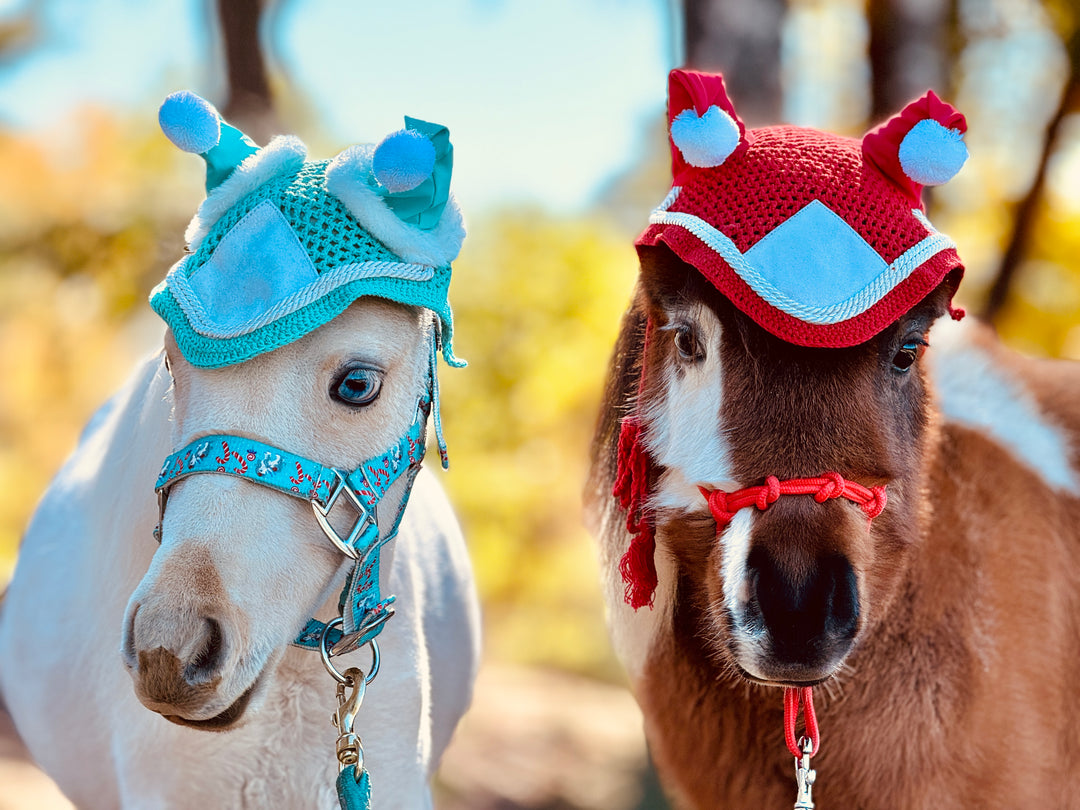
<point>545,101</point>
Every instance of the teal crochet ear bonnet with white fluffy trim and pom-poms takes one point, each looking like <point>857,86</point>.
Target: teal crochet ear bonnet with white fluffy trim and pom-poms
<point>282,246</point>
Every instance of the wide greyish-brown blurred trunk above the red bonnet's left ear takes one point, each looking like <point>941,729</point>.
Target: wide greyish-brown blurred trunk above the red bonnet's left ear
<point>740,38</point>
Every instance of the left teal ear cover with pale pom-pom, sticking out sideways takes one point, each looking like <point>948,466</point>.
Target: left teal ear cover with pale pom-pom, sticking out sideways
<point>194,126</point>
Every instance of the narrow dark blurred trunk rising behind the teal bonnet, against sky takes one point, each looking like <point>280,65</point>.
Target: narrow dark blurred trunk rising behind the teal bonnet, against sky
<point>249,103</point>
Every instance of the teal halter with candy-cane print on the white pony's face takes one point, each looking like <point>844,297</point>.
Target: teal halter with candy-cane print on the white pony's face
<point>363,609</point>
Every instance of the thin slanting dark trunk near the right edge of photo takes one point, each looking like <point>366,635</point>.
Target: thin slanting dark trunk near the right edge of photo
<point>1029,208</point>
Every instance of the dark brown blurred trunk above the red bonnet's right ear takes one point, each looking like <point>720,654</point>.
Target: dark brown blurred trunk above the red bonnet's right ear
<point>910,51</point>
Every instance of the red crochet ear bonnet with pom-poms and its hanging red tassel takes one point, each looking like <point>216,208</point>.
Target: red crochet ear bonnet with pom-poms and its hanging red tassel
<point>822,240</point>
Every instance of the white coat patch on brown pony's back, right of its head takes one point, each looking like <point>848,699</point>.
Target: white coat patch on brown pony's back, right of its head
<point>974,393</point>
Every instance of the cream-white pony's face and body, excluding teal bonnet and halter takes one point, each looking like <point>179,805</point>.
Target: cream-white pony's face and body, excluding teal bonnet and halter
<point>204,624</point>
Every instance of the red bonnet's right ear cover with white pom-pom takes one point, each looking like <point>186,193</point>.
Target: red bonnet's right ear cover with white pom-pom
<point>923,145</point>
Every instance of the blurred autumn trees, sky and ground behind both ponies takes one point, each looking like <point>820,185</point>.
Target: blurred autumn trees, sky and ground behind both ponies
<point>557,115</point>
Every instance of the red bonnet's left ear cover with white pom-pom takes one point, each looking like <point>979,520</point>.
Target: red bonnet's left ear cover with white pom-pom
<point>705,128</point>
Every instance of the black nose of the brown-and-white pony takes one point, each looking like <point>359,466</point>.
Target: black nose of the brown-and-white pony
<point>811,619</point>
